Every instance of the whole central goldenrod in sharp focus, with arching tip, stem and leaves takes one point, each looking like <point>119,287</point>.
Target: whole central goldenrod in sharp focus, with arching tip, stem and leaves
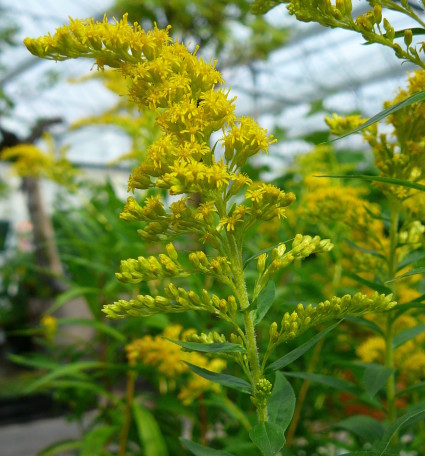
<point>209,198</point>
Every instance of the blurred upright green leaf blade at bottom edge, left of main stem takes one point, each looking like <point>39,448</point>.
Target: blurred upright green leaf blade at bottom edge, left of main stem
<point>150,436</point>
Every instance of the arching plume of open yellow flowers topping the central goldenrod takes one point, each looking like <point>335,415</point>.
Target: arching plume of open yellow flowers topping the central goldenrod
<point>182,91</point>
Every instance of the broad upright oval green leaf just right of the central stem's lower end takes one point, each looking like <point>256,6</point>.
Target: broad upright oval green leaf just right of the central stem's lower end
<point>281,403</point>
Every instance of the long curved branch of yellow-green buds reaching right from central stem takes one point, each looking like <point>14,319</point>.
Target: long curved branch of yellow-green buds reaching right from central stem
<point>303,318</point>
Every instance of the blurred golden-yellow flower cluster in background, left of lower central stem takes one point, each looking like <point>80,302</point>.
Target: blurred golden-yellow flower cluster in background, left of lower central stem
<point>169,359</point>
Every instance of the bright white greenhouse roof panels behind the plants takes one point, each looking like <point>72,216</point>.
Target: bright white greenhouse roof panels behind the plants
<point>321,67</point>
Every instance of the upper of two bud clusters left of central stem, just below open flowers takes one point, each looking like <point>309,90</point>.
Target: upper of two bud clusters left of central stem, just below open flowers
<point>143,269</point>
